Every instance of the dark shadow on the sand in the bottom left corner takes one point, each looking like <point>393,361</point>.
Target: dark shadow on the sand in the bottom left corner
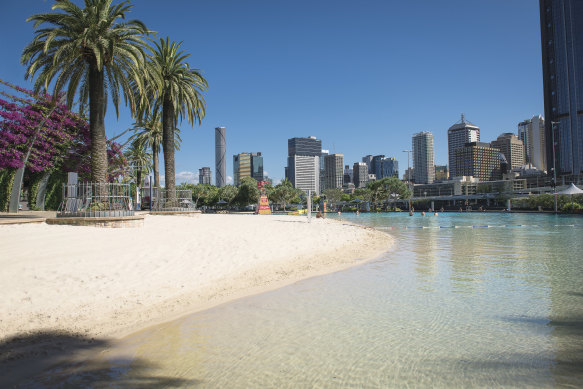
<point>51,358</point>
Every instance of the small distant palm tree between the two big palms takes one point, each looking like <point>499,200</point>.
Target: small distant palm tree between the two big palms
<point>149,133</point>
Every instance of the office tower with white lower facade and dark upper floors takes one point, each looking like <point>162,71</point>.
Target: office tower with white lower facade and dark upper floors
<point>303,163</point>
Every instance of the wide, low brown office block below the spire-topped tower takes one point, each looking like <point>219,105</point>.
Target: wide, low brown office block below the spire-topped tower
<point>479,160</point>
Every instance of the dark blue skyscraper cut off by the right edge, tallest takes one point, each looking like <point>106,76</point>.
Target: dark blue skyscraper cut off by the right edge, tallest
<point>562,56</point>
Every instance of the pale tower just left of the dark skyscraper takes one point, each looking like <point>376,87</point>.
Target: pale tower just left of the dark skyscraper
<point>532,133</point>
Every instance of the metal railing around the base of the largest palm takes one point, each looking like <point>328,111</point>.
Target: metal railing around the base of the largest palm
<point>96,200</point>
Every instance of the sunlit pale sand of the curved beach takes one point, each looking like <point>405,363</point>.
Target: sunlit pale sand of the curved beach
<point>112,281</point>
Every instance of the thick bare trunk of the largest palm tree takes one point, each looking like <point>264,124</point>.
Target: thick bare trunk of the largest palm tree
<point>97,124</point>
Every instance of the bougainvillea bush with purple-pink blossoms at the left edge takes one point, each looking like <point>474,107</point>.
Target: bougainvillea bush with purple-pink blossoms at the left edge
<point>58,139</point>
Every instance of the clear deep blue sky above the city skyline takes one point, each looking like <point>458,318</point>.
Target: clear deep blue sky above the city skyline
<point>363,76</point>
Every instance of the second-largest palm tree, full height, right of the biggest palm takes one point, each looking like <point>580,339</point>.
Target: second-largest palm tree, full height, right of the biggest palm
<point>179,93</point>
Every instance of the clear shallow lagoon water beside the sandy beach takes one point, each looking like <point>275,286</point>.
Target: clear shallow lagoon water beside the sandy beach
<point>461,300</point>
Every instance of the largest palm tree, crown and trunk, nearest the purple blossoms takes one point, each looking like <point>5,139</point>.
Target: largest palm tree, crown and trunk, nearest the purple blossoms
<point>94,56</point>
